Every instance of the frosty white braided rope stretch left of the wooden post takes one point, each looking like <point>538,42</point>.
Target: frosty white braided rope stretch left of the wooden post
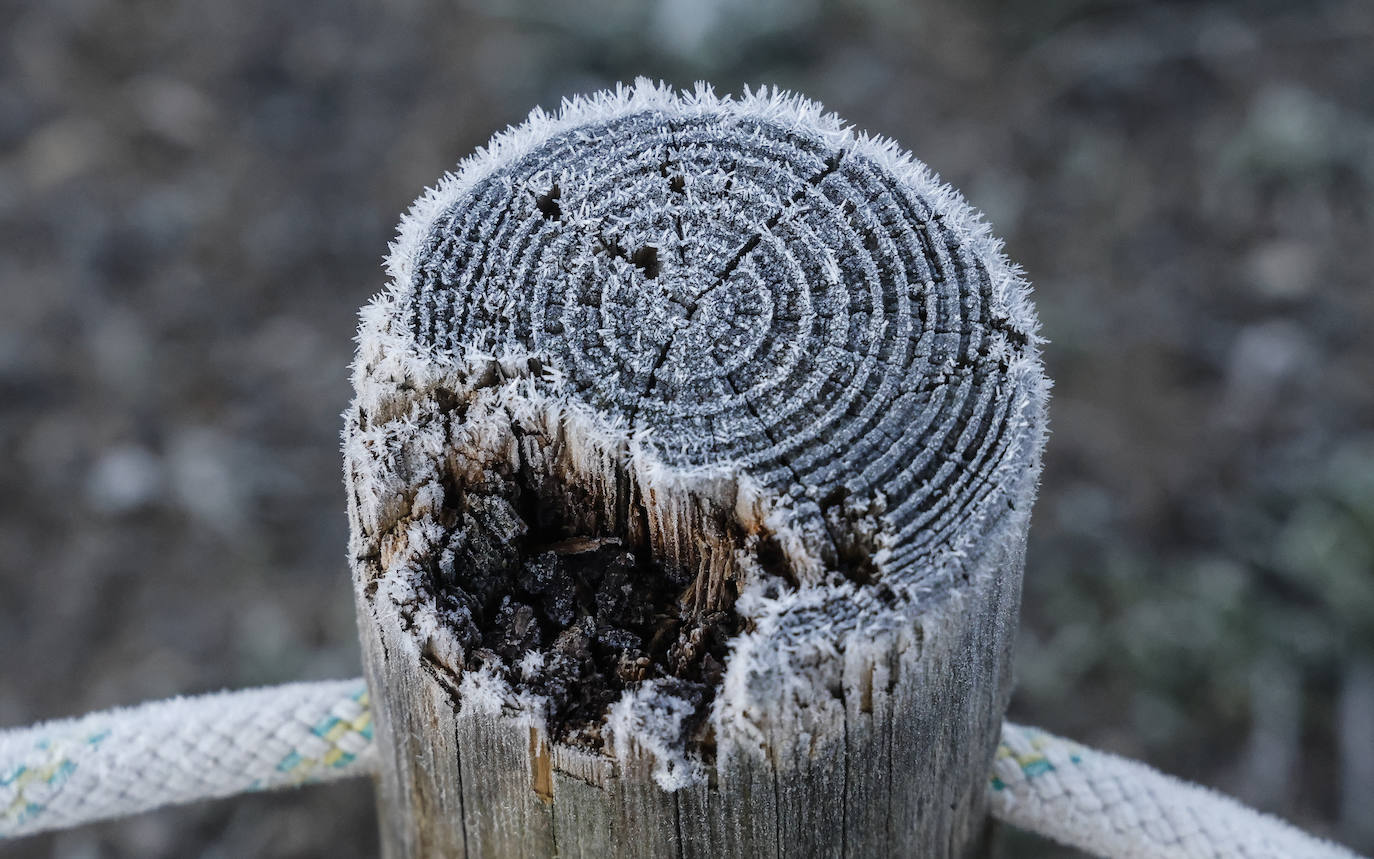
<point>122,762</point>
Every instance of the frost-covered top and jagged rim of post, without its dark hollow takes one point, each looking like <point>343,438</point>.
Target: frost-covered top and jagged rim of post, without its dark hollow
<point>734,304</point>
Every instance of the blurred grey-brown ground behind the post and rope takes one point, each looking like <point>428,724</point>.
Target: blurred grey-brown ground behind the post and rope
<point>196,200</point>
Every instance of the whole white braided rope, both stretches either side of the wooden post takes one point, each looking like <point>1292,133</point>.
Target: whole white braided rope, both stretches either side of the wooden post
<point>123,762</point>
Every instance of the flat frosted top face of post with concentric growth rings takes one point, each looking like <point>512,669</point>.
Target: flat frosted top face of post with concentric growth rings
<point>748,293</point>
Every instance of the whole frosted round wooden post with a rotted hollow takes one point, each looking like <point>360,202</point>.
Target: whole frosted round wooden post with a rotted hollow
<point>690,471</point>
